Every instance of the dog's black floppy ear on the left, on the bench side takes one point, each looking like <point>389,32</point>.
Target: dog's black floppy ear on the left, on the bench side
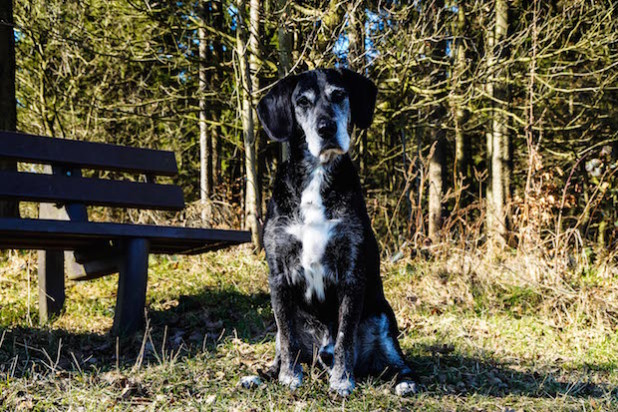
<point>275,109</point>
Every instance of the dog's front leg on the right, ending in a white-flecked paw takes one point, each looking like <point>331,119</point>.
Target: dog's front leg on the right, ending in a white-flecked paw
<point>342,374</point>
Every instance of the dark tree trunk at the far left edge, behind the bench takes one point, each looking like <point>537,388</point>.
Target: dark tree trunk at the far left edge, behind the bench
<point>8,108</point>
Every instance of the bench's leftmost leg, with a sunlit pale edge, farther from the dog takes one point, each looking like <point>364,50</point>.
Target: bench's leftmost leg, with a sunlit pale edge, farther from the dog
<point>51,284</point>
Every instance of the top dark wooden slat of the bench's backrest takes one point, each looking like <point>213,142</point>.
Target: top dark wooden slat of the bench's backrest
<point>86,155</point>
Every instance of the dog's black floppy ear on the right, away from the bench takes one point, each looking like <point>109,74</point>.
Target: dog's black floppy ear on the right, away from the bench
<point>362,93</point>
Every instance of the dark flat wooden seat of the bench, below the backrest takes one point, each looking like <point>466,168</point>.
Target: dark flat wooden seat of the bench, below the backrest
<point>49,234</point>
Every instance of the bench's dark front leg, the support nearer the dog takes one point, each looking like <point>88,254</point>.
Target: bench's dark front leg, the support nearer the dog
<point>131,298</point>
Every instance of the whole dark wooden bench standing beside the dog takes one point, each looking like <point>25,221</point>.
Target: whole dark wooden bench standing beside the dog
<point>96,248</point>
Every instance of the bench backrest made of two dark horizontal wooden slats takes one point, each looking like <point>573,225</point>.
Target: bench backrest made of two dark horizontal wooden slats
<point>67,186</point>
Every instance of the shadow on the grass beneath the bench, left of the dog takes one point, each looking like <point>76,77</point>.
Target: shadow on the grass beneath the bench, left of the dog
<point>184,327</point>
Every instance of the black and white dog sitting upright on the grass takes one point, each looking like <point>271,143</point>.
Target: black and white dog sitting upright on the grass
<point>326,290</point>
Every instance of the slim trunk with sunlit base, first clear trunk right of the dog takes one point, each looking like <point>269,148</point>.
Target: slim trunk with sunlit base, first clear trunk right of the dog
<point>436,163</point>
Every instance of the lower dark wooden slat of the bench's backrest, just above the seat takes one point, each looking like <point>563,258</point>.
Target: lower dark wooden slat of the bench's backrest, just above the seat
<point>101,192</point>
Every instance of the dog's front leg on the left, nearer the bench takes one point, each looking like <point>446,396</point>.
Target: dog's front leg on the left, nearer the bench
<point>288,345</point>
